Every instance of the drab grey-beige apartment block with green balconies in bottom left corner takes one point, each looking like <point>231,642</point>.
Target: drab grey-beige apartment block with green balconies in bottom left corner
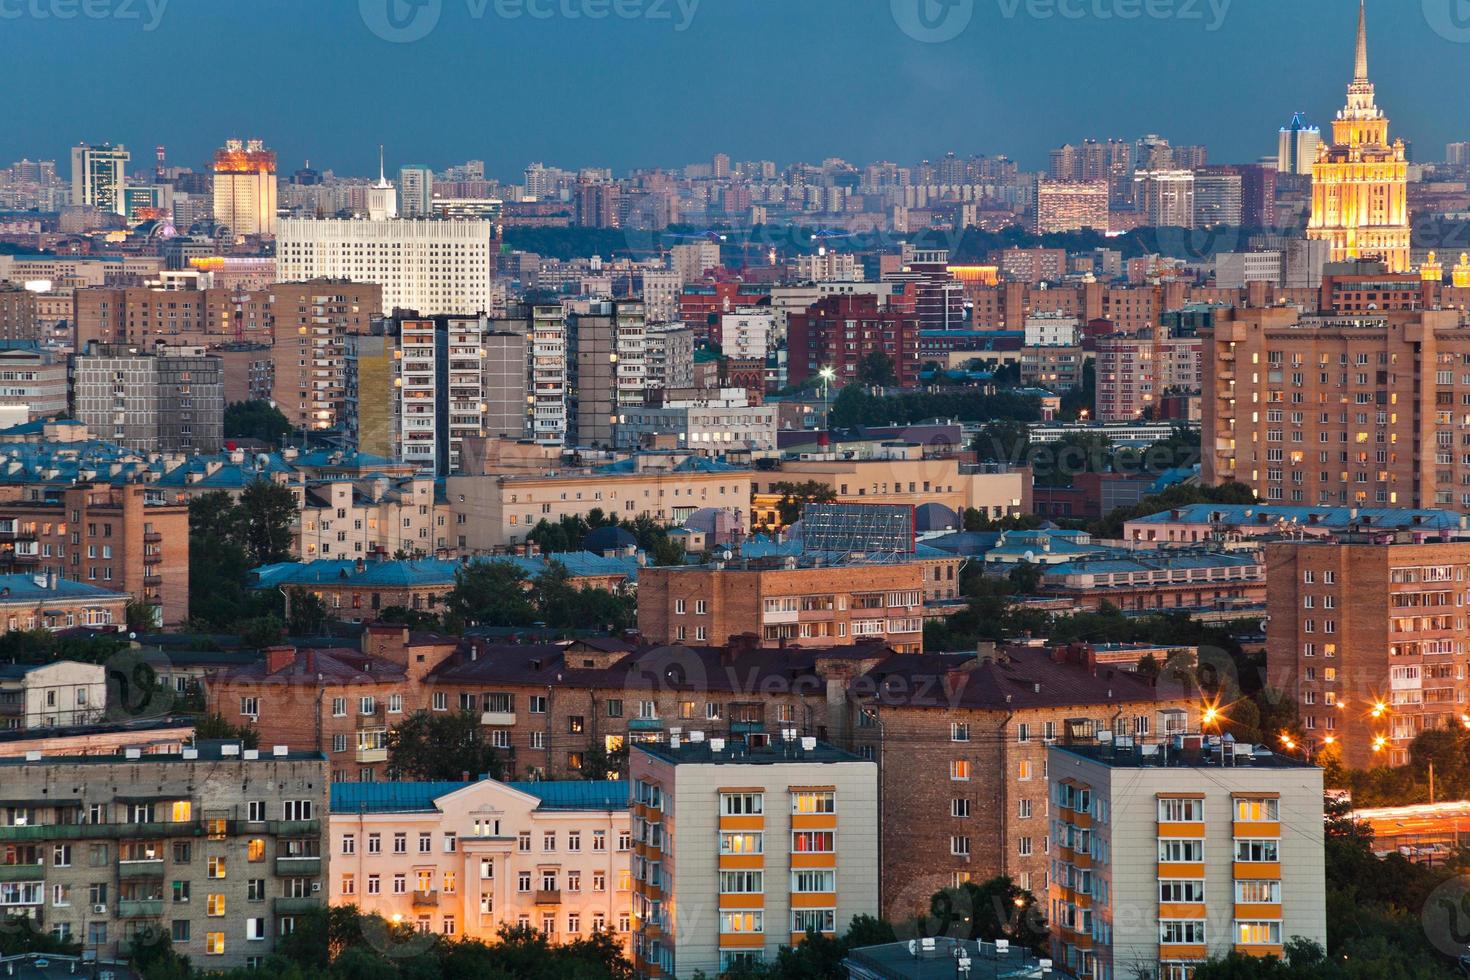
<point>217,847</point>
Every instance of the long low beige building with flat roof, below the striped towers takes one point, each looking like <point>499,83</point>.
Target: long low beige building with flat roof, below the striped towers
<point>499,511</point>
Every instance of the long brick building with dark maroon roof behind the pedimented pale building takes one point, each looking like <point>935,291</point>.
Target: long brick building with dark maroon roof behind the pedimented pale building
<point>546,707</point>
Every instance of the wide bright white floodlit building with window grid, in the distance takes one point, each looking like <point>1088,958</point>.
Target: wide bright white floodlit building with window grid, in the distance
<point>426,265</point>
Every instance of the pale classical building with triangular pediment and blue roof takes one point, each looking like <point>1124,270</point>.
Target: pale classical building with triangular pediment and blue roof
<point>467,859</point>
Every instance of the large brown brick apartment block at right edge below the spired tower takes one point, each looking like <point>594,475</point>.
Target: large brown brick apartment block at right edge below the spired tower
<point>1362,411</point>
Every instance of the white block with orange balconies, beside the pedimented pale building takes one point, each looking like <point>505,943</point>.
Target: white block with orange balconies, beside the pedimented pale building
<point>740,851</point>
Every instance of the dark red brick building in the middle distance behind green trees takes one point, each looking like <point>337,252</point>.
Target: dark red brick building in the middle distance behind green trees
<point>843,330</point>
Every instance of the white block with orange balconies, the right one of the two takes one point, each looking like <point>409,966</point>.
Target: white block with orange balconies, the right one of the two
<point>1168,856</point>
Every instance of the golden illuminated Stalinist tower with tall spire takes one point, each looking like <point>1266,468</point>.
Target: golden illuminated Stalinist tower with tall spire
<point>1360,181</point>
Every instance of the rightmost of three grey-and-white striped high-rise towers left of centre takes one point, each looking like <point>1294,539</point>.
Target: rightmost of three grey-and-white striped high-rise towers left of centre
<point>608,356</point>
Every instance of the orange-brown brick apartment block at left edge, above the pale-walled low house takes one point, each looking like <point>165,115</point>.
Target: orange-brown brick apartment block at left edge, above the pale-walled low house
<point>101,536</point>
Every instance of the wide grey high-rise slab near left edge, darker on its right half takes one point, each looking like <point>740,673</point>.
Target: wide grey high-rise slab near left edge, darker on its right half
<point>161,400</point>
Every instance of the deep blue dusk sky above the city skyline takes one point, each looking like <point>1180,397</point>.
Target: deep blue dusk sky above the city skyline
<point>783,80</point>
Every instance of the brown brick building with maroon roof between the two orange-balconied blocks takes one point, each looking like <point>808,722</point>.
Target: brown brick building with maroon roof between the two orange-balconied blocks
<point>962,747</point>
